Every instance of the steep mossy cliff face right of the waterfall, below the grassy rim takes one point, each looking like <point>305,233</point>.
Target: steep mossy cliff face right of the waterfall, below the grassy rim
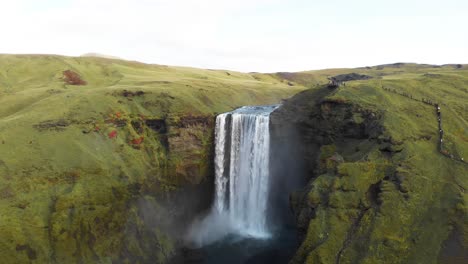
<point>371,196</point>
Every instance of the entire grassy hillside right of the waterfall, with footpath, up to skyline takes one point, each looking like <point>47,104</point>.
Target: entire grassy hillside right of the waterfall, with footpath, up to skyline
<point>380,189</point>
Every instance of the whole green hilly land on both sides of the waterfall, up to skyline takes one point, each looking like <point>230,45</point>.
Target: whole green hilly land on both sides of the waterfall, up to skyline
<point>112,170</point>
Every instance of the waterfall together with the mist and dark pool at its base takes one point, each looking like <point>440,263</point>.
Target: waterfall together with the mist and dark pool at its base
<point>250,220</point>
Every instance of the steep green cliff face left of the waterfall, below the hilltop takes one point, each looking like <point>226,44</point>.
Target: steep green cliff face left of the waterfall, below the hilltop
<point>134,184</point>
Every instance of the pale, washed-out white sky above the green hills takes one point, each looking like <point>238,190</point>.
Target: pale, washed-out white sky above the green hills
<point>242,35</point>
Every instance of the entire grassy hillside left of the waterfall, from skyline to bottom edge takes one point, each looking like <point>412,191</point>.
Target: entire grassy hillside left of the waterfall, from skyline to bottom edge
<point>88,172</point>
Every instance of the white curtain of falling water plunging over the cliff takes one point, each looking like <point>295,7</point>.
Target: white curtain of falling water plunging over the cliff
<point>242,141</point>
